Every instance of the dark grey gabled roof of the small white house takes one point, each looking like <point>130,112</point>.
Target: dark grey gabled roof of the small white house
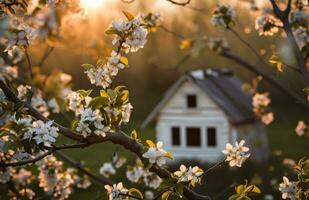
<point>222,87</point>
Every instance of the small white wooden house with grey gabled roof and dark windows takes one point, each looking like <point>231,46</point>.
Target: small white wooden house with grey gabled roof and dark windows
<point>202,111</point>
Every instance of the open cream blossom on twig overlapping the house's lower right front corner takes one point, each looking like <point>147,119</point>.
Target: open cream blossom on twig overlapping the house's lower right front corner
<point>237,154</point>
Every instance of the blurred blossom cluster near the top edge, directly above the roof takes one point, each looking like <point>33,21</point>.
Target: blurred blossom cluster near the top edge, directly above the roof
<point>223,17</point>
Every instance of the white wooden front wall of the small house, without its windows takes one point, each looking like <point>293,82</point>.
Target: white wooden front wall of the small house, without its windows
<point>207,114</point>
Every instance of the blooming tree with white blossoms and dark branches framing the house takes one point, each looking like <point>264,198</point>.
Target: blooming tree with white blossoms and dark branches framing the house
<point>29,134</point>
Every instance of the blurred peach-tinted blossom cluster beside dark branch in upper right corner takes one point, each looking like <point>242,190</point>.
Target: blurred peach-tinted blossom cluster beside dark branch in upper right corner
<point>267,24</point>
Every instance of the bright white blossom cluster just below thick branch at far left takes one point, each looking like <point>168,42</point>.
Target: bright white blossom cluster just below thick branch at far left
<point>42,132</point>
